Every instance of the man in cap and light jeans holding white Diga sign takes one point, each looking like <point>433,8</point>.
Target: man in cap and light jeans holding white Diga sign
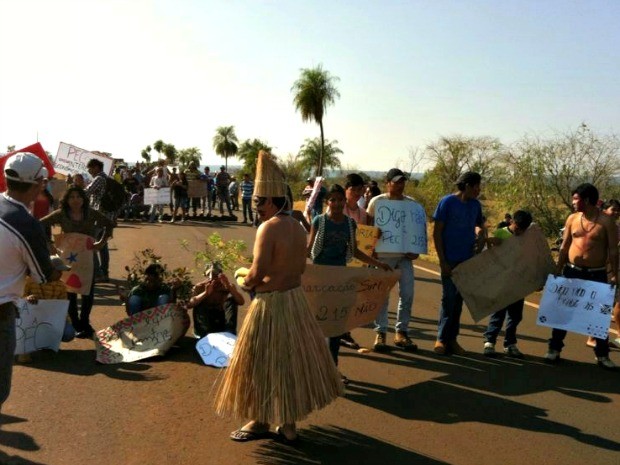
<point>383,215</point>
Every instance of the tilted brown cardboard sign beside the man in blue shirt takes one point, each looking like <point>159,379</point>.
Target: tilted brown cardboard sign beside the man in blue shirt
<point>504,274</point>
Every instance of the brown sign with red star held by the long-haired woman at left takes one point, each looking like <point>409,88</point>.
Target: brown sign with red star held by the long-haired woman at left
<point>76,250</point>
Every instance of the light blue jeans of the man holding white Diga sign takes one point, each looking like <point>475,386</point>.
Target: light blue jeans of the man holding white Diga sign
<point>405,293</point>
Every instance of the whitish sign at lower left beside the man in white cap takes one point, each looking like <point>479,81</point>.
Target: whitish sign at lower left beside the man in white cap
<point>40,326</point>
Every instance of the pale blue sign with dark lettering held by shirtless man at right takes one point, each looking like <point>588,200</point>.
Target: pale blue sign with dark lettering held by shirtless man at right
<point>577,305</point>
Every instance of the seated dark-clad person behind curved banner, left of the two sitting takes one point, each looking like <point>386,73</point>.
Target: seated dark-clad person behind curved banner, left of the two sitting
<point>151,292</point>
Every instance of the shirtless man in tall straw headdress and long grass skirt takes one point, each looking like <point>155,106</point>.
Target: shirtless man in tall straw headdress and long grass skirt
<point>281,369</point>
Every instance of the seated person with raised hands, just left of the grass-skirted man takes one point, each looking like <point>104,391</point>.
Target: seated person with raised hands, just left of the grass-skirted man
<point>215,302</point>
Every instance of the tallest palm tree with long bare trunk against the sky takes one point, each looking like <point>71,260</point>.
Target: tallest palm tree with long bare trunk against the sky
<point>314,91</point>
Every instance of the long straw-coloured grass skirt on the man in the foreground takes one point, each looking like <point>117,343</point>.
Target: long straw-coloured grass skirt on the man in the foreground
<point>281,369</point>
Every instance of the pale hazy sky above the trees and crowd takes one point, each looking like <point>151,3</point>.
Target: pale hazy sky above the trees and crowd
<point>117,75</point>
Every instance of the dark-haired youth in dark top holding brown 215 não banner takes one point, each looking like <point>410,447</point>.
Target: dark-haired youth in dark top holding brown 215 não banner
<point>332,242</point>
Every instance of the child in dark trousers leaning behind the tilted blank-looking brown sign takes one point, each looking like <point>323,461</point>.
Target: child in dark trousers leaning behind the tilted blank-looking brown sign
<point>520,222</point>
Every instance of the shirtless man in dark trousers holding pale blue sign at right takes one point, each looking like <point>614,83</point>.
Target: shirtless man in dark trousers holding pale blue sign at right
<point>588,244</point>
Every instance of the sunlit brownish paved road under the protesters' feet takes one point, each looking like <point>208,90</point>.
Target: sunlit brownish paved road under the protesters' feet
<point>399,409</point>
